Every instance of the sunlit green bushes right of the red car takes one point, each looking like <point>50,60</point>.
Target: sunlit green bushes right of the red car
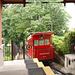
<point>63,44</point>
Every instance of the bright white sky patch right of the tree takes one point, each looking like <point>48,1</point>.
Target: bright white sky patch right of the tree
<point>70,8</point>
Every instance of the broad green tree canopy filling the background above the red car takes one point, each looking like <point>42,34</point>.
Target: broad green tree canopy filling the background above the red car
<point>35,17</point>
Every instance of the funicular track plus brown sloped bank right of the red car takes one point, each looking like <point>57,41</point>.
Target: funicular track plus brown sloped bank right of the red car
<point>54,67</point>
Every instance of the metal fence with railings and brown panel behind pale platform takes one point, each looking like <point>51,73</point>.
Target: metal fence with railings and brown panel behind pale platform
<point>10,51</point>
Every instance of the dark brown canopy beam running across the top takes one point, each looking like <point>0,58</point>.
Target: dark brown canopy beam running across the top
<point>30,1</point>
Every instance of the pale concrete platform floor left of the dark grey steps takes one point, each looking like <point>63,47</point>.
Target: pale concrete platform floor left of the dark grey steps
<point>16,67</point>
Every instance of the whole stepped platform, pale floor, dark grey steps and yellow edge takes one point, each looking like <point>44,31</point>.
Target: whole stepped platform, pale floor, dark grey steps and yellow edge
<point>25,67</point>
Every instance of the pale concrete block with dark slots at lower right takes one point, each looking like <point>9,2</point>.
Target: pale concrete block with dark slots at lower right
<point>70,63</point>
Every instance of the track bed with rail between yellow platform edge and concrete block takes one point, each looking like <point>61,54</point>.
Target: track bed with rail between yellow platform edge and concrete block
<point>56,68</point>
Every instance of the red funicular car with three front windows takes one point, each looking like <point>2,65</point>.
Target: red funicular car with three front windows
<point>39,46</point>
